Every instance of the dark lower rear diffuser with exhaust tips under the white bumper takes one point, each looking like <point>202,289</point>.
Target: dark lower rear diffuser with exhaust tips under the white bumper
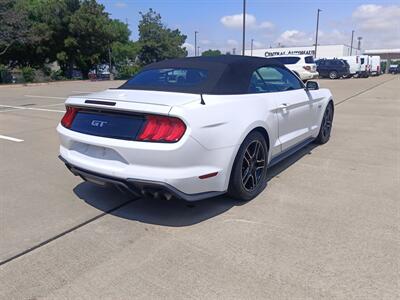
<point>138,187</point>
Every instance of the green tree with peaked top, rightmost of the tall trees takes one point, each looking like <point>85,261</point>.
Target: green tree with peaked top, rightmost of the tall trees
<point>157,42</point>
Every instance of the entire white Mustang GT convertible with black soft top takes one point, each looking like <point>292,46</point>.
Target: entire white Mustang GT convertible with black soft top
<point>194,128</point>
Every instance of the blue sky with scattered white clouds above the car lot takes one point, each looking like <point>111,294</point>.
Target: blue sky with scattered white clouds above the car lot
<point>270,23</point>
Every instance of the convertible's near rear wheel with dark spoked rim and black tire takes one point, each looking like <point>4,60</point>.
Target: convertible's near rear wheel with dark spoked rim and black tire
<point>249,172</point>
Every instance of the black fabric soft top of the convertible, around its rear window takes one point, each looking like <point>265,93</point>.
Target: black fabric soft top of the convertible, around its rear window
<point>227,74</point>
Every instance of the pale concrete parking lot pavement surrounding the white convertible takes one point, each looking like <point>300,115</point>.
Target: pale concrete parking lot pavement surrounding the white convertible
<point>327,226</point>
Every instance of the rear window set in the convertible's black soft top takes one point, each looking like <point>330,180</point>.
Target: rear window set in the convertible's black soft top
<point>178,77</point>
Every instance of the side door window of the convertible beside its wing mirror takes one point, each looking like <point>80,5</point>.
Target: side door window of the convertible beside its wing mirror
<point>278,79</point>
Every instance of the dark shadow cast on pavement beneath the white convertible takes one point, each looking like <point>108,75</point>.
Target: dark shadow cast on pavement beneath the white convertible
<point>172,213</point>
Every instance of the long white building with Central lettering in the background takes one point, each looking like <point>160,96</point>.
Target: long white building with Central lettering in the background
<point>323,51</point>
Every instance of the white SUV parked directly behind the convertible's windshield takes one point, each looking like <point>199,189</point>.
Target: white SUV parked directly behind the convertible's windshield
<point>302,65</point>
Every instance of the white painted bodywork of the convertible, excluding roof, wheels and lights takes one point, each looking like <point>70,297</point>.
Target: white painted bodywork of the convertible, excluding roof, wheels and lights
<point>214,134</point>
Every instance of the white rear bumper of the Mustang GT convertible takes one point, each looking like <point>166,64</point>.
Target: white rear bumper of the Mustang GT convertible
<point>177,166</point>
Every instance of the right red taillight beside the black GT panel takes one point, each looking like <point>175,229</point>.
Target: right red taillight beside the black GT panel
<point>162,129</point>
